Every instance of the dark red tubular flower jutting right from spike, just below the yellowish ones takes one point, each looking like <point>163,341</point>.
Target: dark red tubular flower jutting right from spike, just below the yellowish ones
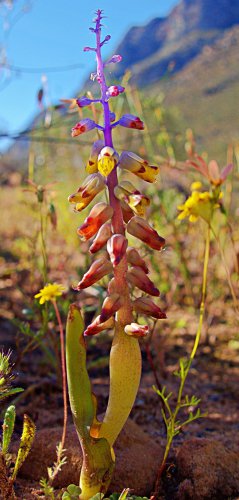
<point>143,231</point>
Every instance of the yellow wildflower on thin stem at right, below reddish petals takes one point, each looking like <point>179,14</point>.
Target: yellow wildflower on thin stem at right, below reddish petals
<point>198,205</point>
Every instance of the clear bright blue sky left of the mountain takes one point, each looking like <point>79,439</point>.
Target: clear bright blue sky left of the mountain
<point>52,34</point>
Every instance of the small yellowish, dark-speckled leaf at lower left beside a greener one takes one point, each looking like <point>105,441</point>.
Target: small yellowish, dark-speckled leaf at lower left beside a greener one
<point>27,437</point>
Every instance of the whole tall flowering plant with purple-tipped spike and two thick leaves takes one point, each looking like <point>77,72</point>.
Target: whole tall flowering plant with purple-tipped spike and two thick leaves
<point>108,223</point>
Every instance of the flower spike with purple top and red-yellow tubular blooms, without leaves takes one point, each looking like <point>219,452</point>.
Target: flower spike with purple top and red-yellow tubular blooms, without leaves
<point>109,223</point>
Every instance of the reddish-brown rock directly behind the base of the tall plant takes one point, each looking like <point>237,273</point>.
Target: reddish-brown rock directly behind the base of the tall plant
<point>137,459</point>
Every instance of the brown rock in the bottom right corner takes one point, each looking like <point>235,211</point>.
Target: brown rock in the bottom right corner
<point>208,470</point>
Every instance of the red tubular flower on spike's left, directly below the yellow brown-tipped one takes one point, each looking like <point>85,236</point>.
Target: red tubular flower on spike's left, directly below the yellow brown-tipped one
<point>98,215</point>
